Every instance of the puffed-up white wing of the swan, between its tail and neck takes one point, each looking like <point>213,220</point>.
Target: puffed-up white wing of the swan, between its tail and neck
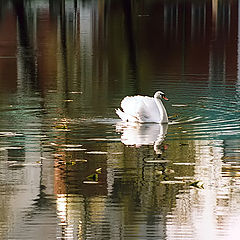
<point>142,109</point>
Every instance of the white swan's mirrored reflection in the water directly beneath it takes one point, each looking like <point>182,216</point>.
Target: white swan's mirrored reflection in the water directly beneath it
<point>137,134</point>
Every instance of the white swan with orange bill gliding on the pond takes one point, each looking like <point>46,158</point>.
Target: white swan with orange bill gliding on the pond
<point>143,109</point>
